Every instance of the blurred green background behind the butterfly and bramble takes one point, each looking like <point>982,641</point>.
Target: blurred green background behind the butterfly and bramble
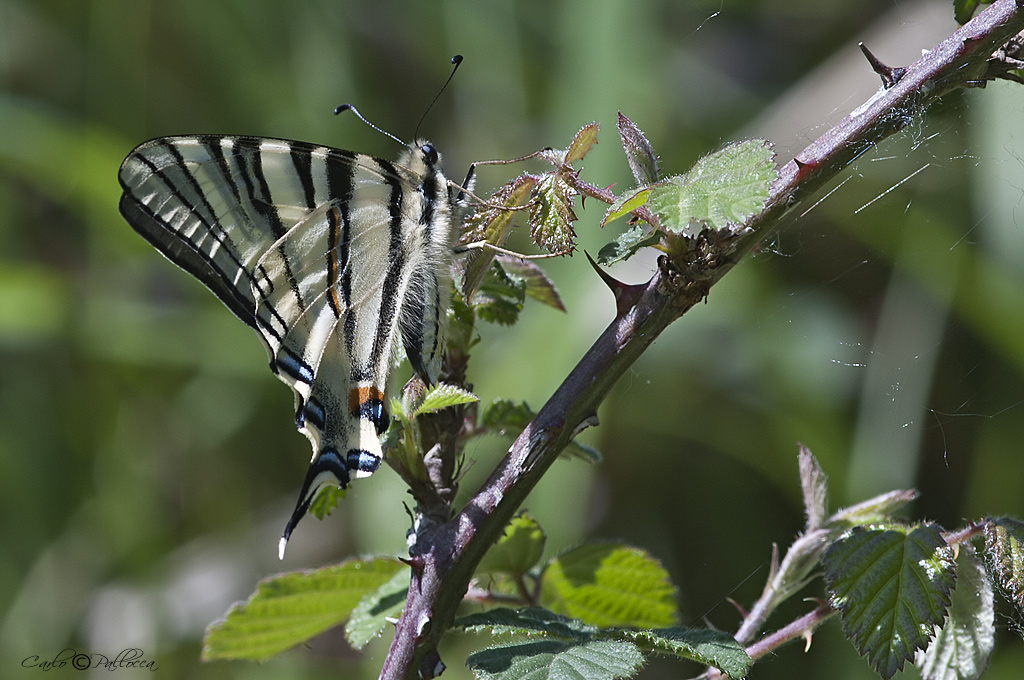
<point>148,458</point>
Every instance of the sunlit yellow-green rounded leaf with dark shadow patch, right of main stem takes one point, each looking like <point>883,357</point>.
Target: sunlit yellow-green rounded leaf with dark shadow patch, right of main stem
<point>611,585</point>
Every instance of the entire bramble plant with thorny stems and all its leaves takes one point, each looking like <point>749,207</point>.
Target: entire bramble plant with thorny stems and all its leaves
<point>904,591</point>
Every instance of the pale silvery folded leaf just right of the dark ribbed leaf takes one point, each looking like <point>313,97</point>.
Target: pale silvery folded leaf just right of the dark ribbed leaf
<point>962,647</point>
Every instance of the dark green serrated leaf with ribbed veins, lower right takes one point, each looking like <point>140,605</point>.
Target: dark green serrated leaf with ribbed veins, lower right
<point>891,587</point>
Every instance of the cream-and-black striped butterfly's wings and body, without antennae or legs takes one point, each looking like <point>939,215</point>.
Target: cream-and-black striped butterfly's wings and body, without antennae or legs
<point>327,254</point>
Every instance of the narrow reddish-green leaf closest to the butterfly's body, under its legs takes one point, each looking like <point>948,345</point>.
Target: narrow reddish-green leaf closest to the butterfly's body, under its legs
<point>491,225</point>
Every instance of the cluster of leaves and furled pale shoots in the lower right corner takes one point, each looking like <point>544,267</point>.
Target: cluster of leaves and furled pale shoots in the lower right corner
<point>906,592</point>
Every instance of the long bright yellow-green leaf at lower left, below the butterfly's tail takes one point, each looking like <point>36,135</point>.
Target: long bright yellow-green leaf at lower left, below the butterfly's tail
<point>291,609</point>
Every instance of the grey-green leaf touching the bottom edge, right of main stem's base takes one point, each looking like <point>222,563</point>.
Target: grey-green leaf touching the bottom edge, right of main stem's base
<point>544,660</point>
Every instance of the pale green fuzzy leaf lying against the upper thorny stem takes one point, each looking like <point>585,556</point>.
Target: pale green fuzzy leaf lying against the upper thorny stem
<point>722,189</point>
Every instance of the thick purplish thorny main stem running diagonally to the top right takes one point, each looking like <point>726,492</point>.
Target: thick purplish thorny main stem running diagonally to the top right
<point>445,556</point>
